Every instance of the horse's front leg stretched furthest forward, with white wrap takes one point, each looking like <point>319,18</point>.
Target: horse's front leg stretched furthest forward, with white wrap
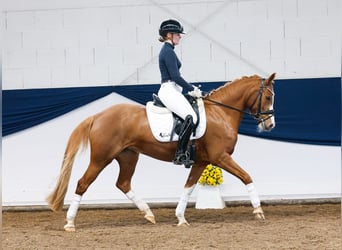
<point>227,163</point>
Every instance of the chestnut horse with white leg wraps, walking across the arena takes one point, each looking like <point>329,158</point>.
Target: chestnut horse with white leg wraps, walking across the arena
<point>122,132</point>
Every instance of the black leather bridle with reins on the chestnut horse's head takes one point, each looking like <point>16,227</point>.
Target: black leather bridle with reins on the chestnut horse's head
<point>259,113</point>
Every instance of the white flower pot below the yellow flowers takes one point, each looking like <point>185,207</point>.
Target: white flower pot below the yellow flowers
<point>209,197</point>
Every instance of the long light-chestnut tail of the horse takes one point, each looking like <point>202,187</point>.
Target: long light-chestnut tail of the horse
<point>79,136</point>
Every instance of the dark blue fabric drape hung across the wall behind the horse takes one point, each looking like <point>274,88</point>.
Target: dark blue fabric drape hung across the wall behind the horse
<point>306,110</point>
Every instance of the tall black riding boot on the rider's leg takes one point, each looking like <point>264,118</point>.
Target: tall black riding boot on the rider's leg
<point>182,155</point>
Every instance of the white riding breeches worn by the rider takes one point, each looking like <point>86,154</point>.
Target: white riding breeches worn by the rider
<point>171,95</point>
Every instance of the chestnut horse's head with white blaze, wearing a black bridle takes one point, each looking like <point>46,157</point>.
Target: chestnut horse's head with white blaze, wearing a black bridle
<point>262,106</point>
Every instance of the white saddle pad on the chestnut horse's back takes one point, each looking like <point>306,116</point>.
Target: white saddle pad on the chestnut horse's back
<point>161,122</point>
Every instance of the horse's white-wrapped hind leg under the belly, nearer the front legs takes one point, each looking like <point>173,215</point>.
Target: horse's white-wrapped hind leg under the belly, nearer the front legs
<point>127,160</point>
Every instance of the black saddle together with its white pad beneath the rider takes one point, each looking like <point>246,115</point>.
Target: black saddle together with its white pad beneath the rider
<point>165,125</point>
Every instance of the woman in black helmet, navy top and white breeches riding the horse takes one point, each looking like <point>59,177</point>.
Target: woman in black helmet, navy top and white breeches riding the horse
<point>172,85</point>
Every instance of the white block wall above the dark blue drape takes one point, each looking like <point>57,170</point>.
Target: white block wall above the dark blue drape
<point>82,28</point>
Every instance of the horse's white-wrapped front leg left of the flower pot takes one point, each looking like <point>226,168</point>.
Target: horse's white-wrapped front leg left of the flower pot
<point>190,184</point>
